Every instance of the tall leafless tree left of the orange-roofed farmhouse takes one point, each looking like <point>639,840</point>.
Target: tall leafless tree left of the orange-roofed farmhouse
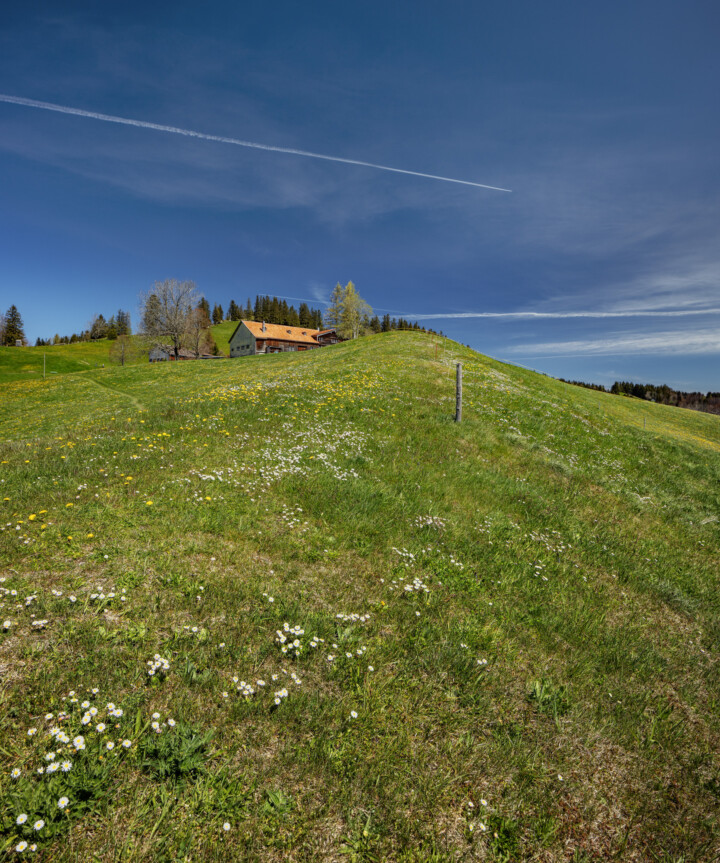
<point>165,312</point>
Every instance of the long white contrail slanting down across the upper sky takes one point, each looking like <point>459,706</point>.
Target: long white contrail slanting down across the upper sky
<point>189,133</point>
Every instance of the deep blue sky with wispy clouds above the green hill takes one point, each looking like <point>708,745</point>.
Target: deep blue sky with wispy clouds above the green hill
<point>603,119</point>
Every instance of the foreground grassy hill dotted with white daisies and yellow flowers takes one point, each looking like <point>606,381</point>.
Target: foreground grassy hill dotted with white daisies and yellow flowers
<point>374,634</point>
